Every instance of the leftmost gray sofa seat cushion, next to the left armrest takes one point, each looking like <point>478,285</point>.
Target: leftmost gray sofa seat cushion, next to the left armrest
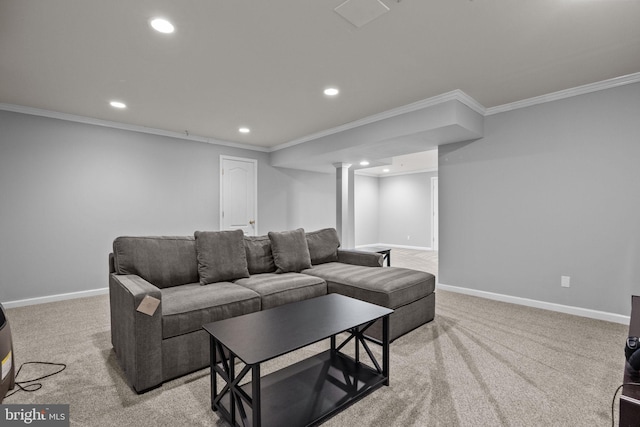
<point>186,308</point>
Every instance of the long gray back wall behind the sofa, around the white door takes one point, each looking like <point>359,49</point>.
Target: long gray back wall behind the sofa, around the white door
<point>68,189</point>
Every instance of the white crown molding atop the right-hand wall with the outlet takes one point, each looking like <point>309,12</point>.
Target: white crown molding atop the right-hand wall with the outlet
<point>566,93</point>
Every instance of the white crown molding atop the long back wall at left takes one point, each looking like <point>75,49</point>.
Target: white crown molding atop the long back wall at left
<point>123,126</point>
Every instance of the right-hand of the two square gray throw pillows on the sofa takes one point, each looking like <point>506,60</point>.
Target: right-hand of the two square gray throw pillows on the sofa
<point>290,251</point>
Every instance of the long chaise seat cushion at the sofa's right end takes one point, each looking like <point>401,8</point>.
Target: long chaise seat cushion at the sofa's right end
<point>390,287</point>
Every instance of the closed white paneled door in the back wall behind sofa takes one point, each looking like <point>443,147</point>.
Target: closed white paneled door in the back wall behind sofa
<point>238,194</point>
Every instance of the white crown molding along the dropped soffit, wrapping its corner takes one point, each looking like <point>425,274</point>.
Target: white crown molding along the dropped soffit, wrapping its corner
<point>454,95</point>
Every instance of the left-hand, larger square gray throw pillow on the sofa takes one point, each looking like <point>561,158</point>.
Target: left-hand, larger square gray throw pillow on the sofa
<point>221,256</point>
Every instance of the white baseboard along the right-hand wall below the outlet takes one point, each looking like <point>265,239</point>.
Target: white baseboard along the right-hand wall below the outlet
<point>577,311</point>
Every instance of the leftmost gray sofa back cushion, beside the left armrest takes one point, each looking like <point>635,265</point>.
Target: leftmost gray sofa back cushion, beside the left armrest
<point>162,261</point>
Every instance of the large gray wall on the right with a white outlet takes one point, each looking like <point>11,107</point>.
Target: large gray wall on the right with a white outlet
<point>551,190</point>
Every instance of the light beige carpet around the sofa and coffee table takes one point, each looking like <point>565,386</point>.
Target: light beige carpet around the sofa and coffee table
<point>479,363</point>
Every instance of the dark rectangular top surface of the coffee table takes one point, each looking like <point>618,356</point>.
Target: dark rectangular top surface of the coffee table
<point>263,335</point>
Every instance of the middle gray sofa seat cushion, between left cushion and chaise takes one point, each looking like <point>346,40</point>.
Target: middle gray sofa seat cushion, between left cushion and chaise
<point>283,288</point>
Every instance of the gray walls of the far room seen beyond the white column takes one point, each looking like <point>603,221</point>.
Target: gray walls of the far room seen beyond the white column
<point>388,209</point>
